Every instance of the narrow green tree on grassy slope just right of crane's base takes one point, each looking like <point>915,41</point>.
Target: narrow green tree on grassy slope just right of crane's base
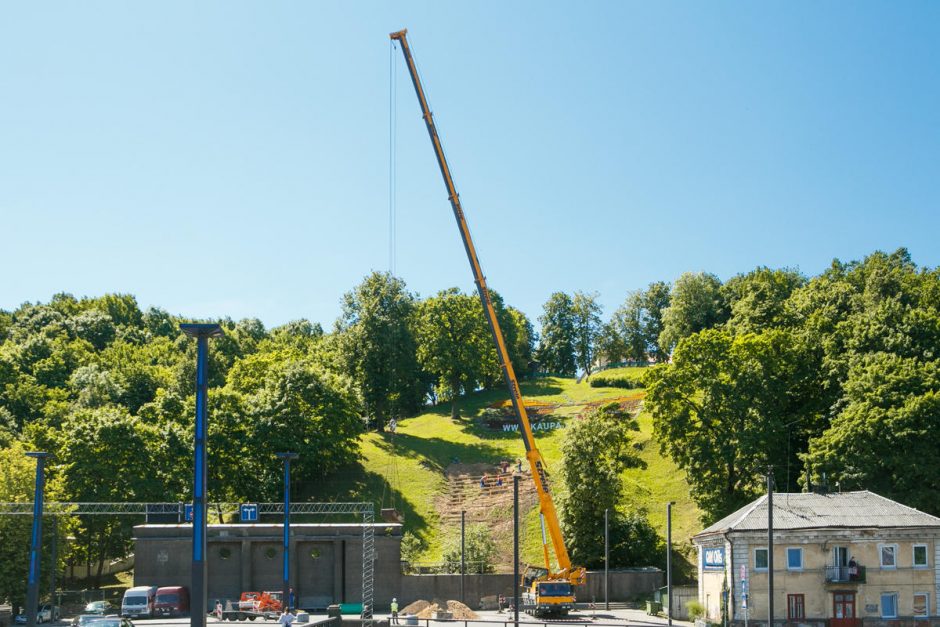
<point>596,451</point>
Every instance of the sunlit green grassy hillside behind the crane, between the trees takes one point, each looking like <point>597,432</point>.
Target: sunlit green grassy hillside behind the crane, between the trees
<point>415,461</point>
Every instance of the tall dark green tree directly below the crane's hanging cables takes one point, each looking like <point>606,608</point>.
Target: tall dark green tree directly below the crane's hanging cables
<point>378,347</point>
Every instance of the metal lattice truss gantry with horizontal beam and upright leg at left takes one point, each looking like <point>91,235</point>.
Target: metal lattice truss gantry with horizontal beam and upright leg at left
<point>365,510</point>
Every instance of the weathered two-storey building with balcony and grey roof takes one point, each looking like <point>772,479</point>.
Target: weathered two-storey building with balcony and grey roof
<point>839,560</point>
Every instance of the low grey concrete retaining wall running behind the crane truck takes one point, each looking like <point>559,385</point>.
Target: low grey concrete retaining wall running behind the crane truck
<point>624,585</point>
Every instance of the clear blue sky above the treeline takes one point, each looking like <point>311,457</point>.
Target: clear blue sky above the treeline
<point>231,158</point>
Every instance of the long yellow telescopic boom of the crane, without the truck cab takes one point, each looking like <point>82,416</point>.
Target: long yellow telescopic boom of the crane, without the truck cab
<point>547,506</point>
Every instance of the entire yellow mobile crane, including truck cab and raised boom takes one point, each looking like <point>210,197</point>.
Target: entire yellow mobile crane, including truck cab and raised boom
<point>549,591</point>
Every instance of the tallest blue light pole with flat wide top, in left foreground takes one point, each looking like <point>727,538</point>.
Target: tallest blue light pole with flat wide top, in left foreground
<point>198,586</point>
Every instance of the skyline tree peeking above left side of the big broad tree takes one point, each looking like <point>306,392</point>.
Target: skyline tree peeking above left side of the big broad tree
<point>695,303</point>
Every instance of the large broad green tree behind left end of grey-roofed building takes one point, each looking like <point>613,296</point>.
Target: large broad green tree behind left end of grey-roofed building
<point>727,407</point>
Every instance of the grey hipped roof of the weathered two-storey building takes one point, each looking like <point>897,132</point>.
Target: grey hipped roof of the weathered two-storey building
<point>824,511</point>
